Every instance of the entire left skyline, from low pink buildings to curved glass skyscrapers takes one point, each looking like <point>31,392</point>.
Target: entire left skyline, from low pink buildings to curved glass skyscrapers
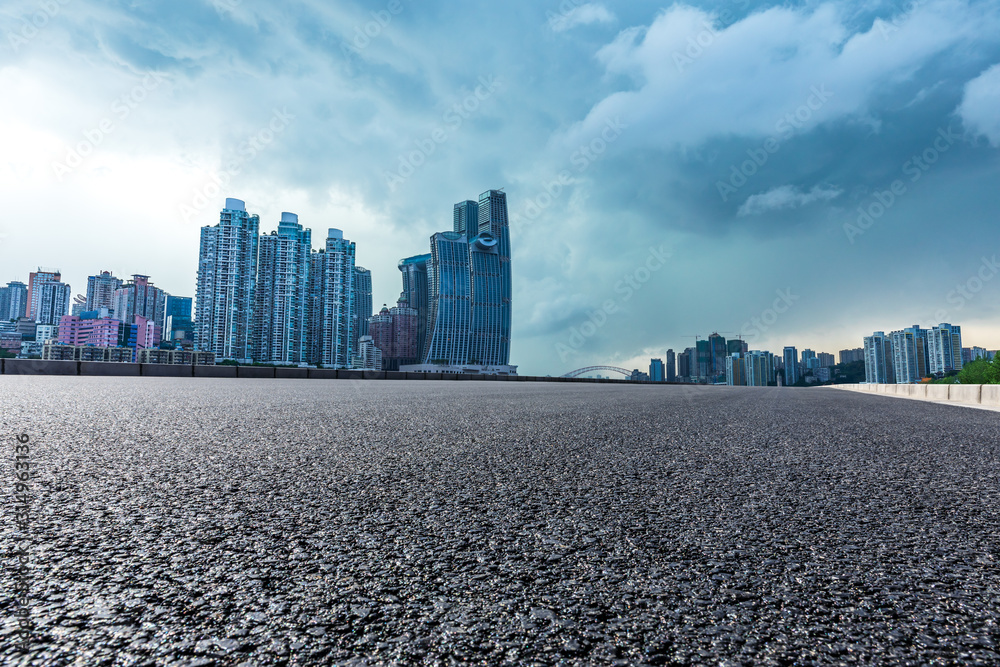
<point>273,299</point>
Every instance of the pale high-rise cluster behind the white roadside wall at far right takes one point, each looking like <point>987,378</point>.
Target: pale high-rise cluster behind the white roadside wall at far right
<point>909,355</point>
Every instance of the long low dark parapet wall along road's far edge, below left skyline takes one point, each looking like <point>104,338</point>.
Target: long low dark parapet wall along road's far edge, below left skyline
<point>111,369</point>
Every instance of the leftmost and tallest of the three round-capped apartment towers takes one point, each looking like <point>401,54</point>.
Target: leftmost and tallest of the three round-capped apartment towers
<point>227,277</point>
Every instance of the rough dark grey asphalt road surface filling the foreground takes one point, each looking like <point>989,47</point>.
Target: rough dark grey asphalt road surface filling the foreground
<point>198,522</point>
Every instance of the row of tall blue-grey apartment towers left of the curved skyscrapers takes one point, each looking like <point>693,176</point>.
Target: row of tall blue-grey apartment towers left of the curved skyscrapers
<point>272,299</point>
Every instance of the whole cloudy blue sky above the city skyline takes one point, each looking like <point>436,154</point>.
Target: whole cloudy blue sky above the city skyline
<point>803,173</point>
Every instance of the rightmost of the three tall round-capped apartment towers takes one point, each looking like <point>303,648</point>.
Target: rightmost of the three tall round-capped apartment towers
<point>332,302</point>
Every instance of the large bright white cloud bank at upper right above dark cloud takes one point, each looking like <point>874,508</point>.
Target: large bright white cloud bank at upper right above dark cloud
<point>698,75</point>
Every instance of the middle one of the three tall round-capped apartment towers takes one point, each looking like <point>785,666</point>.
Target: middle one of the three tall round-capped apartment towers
<point>280,321</point>
